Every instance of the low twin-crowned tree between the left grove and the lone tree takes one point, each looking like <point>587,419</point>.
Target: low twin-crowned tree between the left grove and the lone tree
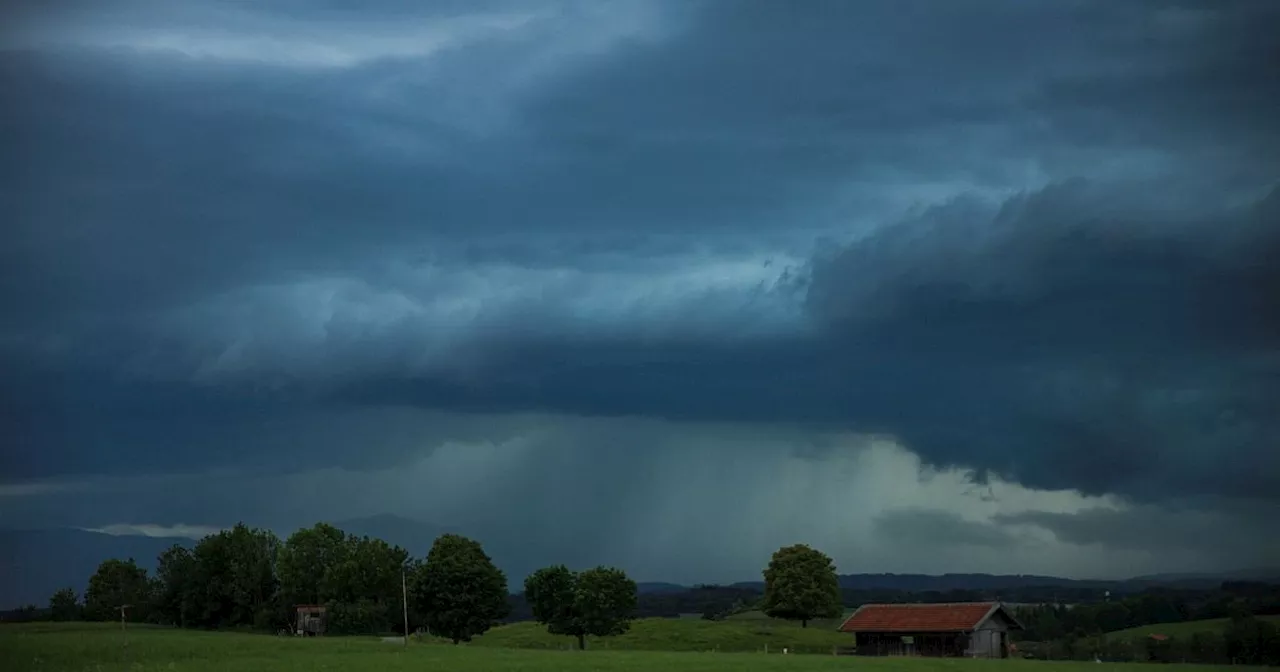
<point>600,602</point>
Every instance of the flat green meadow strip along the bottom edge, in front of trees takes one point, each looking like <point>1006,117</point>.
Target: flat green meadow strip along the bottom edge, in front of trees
<point>102,648</point>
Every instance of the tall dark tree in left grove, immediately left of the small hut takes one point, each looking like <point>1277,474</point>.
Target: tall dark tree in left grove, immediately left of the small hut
<point>236,574</point>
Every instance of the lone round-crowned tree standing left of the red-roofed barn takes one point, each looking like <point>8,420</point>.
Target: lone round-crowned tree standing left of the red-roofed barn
<point>801,586</point>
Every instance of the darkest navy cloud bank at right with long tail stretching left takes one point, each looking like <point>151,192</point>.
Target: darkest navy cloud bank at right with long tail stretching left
<point>1067,340</point>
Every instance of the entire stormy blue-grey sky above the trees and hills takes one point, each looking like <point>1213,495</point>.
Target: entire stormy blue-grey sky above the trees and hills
<point>936,287</point>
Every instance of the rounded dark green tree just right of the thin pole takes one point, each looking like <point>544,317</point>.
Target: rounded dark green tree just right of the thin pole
<point>459,592</point>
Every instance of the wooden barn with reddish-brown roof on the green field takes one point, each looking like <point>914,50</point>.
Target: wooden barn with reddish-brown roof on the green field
<point>971,630</point>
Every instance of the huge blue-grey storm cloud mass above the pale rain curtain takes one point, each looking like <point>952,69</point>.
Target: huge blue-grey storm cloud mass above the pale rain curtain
<point>175,214</point>
